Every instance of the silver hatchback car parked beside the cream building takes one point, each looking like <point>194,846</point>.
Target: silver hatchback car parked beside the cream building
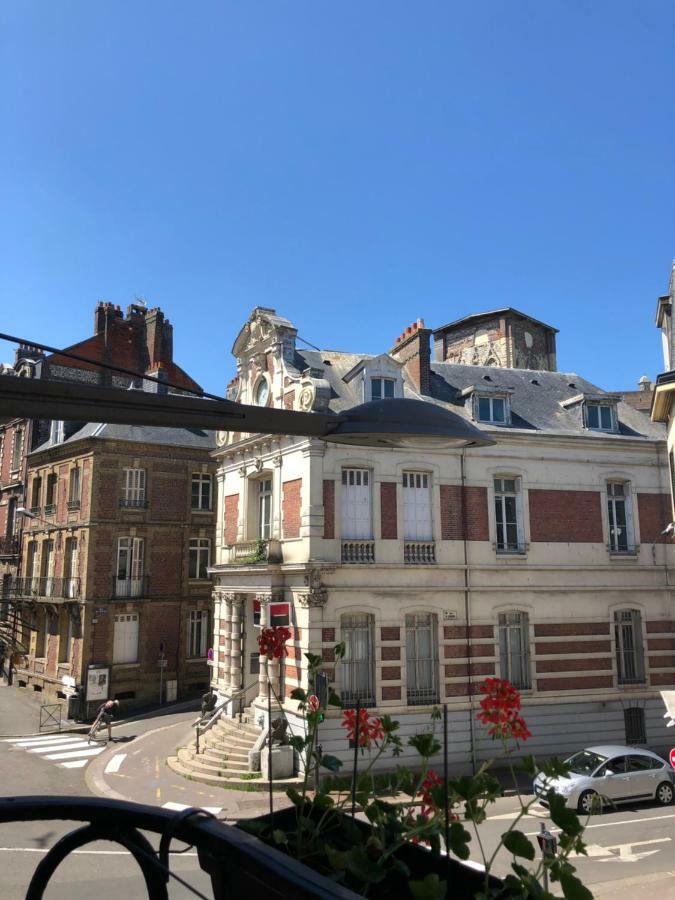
<point>608,775</point>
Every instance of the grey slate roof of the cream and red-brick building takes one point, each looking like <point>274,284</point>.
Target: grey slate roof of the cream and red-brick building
<point>535,396</point>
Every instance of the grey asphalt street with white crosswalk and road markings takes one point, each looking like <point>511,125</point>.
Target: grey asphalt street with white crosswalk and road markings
<point>630,850</point>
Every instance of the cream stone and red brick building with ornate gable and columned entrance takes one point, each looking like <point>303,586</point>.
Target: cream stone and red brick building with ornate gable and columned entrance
<point>540,558</point>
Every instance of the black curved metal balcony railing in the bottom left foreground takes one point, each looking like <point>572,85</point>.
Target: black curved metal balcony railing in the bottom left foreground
<point>238,864</point>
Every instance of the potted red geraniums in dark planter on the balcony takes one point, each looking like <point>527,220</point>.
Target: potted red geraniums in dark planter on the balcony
<point>412,833</point>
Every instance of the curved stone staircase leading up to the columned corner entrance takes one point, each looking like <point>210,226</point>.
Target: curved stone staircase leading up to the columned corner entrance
<point>223,757</point>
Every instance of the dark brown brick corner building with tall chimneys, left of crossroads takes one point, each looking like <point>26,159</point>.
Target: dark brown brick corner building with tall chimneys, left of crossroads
<point>117,536</point>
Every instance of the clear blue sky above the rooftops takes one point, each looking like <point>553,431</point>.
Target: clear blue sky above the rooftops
<point>354,165</point>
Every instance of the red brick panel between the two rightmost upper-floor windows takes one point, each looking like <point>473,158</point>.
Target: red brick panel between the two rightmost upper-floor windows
<point>565,516</point>
